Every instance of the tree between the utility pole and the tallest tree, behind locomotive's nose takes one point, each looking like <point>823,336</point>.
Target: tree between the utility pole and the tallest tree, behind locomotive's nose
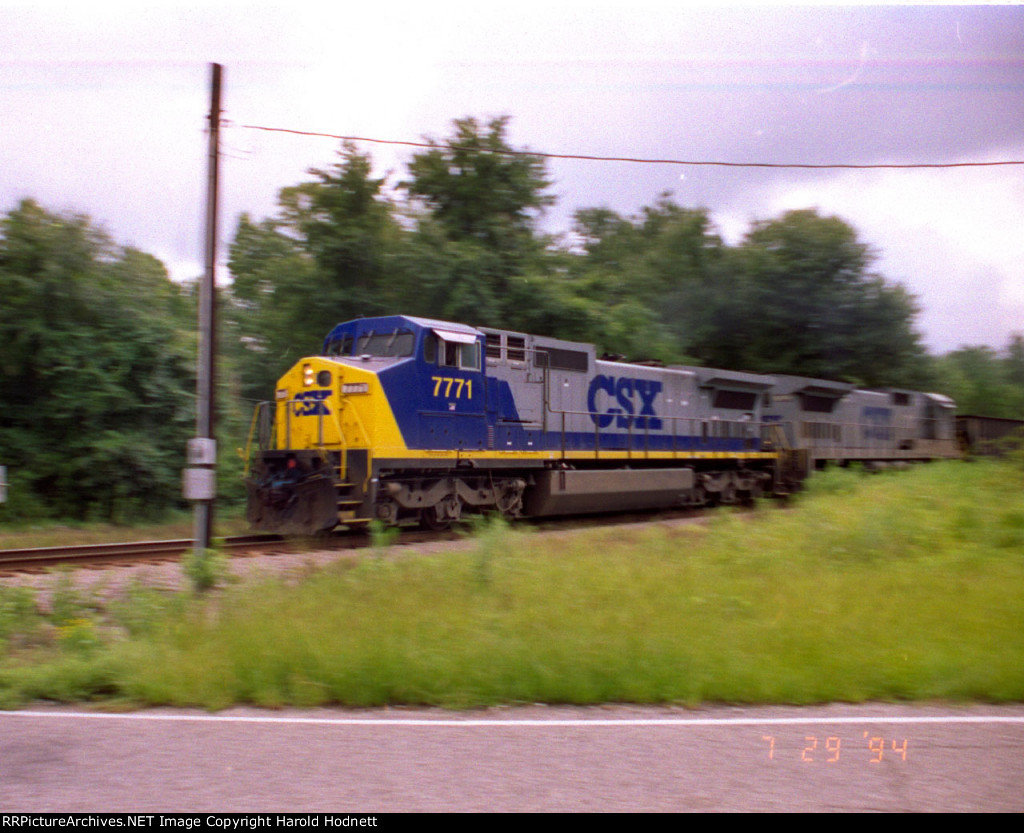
<point>324,260</point>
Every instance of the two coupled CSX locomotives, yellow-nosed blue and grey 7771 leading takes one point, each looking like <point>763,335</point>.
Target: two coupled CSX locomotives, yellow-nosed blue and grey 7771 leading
<point>404,419</point>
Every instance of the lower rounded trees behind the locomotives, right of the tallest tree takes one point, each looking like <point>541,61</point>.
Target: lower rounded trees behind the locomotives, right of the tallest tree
<point>796,297</point>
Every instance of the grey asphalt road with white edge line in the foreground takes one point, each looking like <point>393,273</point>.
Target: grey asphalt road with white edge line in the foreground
<point>832,759</point>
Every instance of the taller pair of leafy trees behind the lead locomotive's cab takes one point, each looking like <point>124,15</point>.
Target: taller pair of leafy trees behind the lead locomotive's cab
<point>464,248</point>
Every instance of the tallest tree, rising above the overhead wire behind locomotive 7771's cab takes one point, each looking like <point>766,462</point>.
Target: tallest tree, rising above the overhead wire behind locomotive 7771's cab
<point>476,255</point>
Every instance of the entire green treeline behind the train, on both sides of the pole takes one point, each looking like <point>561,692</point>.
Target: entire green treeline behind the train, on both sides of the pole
<point>97,345</point>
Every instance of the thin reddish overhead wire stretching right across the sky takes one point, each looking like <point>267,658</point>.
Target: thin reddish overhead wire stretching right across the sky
<point>641,161</point>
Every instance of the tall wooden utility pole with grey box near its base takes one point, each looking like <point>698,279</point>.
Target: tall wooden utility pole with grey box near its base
<point>200,480</point>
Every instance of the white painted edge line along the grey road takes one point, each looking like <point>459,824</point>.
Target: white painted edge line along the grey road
<point>515,724</point>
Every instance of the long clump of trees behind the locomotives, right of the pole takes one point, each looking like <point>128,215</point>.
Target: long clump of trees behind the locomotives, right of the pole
<point>798,296</point>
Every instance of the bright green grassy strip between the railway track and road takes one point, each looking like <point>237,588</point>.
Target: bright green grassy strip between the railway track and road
<point>897,587</point>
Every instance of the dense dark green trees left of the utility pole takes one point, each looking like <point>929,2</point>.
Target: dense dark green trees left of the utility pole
<point>98,376</point>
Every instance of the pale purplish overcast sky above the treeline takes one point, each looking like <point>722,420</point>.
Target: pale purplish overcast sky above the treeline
<point>103,110</point>
